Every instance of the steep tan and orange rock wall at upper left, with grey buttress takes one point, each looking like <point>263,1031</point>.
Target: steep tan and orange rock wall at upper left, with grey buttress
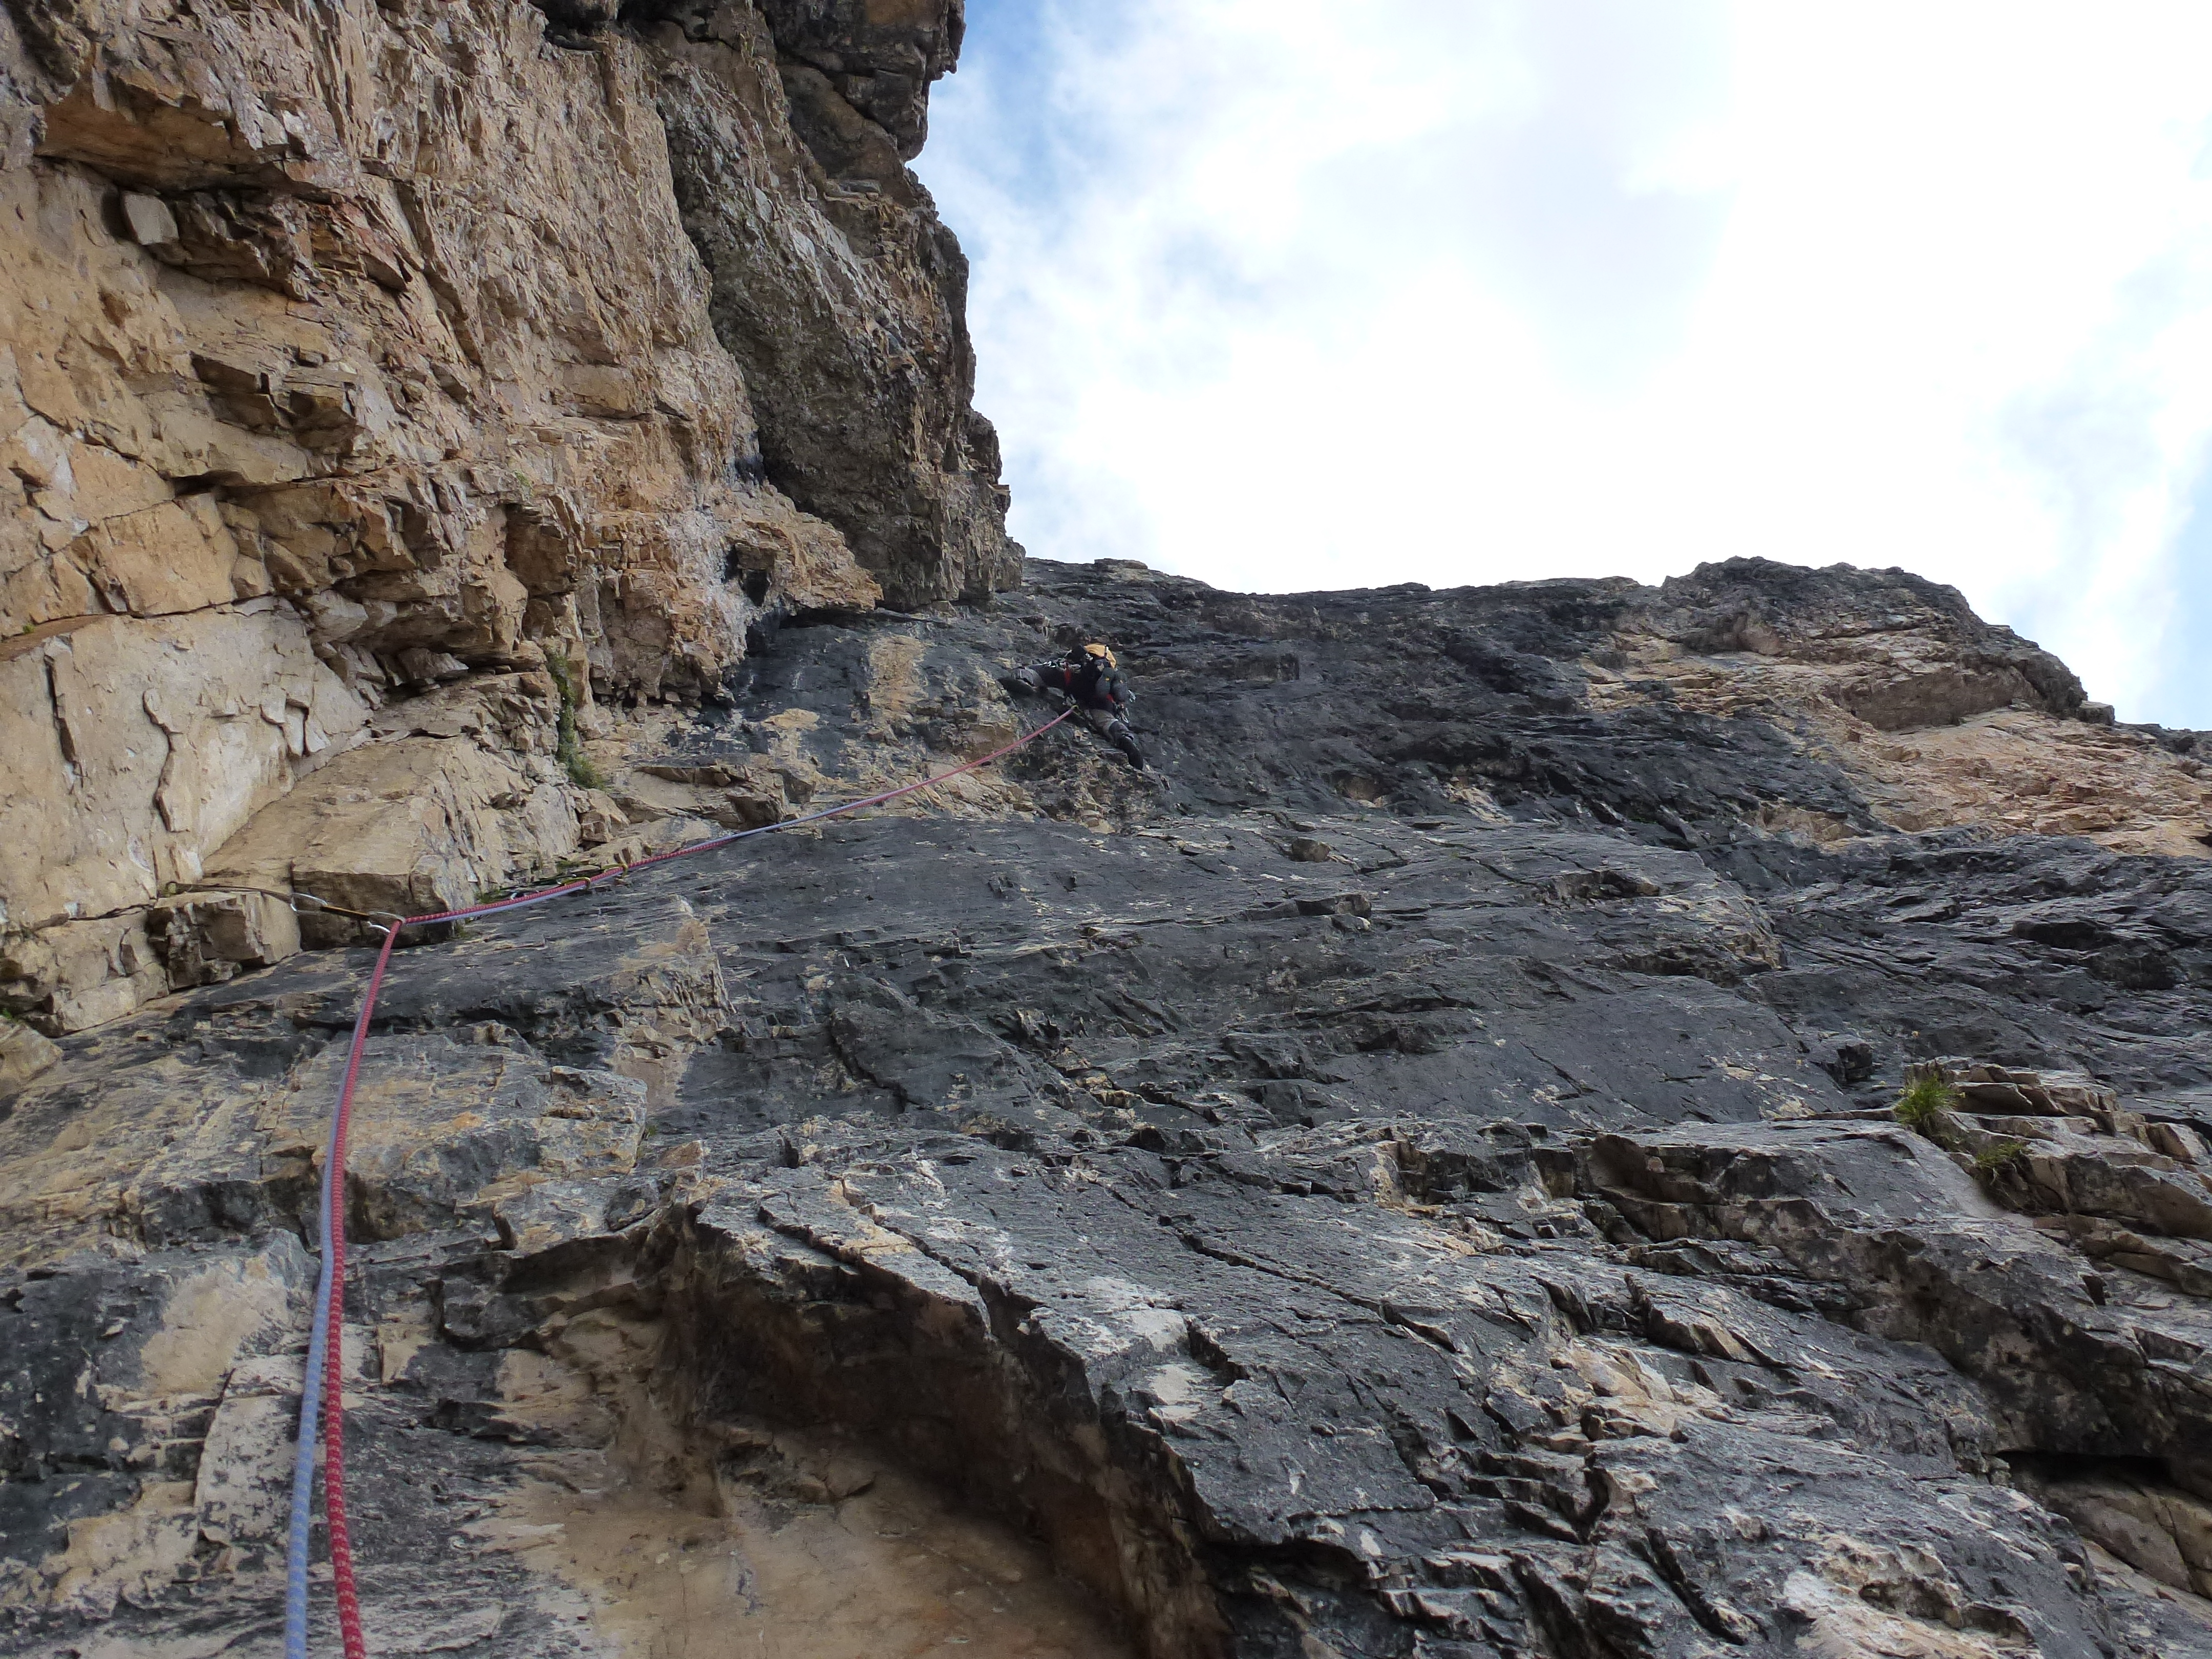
<point>351,351</point>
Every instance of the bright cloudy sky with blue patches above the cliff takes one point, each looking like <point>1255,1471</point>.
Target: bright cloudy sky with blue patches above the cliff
<point>1306,295</point>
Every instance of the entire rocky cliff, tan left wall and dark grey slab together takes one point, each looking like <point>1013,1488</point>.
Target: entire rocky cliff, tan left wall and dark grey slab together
<point>1412,1176</point>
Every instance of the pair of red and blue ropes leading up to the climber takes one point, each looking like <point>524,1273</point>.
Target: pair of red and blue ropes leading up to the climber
<point>322,1390</point>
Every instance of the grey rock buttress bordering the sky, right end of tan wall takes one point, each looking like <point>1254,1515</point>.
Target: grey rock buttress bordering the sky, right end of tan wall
<point>851,335</point>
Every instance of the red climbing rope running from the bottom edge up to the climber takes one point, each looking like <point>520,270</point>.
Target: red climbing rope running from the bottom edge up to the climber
<point>333,1313</point>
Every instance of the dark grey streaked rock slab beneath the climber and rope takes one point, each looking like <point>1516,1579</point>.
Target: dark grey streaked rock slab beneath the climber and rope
<point>1410,1176</point>
